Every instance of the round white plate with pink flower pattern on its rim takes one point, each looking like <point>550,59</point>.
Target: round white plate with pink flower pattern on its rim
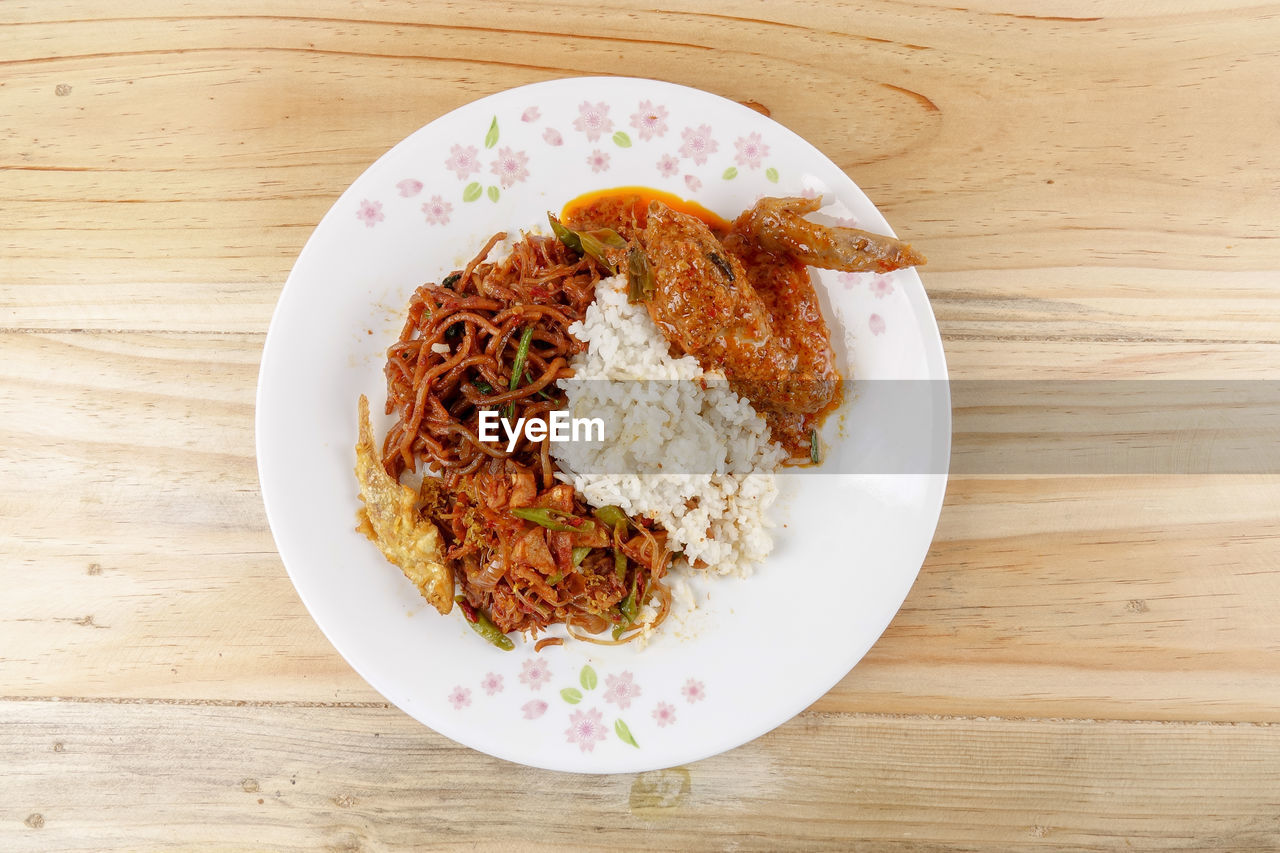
<point>757,651</point>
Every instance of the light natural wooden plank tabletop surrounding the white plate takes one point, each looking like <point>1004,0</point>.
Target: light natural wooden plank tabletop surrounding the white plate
<point>1086,663</point>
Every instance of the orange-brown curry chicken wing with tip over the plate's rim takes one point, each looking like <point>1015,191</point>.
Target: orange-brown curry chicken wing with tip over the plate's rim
<point>746,303</point>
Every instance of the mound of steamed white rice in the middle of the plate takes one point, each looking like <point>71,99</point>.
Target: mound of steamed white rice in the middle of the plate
<point>717,517</point>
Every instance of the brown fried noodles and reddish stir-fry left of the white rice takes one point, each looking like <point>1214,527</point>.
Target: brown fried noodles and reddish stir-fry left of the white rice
<point>458,355</point>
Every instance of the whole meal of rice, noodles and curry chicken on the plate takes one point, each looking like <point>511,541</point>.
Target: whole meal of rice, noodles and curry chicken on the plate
<point>698,344</point>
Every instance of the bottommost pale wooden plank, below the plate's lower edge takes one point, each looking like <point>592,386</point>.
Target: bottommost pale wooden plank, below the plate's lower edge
<point>368,778</point>
